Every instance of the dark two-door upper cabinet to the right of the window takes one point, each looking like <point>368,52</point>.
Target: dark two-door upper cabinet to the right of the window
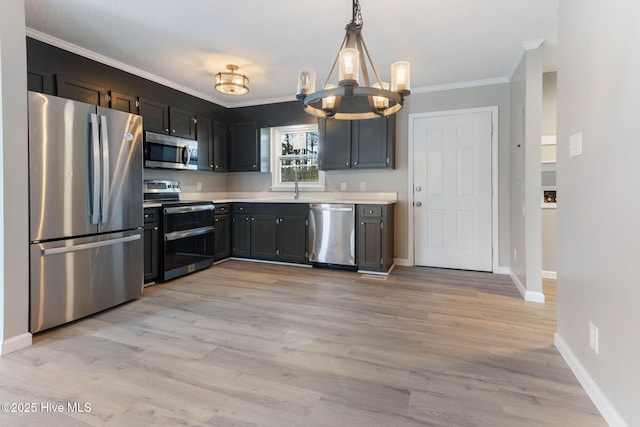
<point>363,144</point>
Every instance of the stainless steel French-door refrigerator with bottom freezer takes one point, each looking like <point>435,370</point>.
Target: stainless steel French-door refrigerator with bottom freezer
<point>86,219</point>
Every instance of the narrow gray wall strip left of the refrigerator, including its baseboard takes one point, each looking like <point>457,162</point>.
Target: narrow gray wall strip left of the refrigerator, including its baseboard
<point>14,213</point>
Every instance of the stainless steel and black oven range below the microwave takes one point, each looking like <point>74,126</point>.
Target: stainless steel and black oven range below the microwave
<point>187,230</point>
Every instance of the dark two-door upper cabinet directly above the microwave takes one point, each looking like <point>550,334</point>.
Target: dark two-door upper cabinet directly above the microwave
<point>161,118</point>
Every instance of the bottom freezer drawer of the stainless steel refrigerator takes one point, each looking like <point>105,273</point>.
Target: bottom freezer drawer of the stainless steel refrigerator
<point>74,278</point>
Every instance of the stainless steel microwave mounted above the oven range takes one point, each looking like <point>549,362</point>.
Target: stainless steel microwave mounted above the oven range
<point>170,152</point>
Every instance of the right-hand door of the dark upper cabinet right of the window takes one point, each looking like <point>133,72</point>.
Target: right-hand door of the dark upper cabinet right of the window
<point>373,142</point>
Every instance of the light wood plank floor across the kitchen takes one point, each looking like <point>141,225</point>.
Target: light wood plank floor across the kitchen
<point>256,344</point>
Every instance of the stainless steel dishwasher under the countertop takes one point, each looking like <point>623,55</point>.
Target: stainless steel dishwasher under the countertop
<point>332,236</point>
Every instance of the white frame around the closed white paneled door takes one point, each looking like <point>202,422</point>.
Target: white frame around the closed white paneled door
<point>495,241</point>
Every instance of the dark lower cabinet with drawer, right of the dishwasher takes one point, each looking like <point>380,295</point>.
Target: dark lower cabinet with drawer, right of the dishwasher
<point>375,237</point>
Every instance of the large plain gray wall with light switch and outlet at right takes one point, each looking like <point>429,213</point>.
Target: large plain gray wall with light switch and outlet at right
<point>598,238</point>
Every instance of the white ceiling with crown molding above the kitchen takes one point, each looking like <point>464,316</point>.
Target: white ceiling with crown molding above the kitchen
<point>183,43</point>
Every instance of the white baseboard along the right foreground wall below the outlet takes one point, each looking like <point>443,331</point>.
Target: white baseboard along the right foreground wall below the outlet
<point>609,413</point>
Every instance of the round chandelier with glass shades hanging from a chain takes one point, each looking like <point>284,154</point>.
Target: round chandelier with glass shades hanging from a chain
<point>349,100</point>
